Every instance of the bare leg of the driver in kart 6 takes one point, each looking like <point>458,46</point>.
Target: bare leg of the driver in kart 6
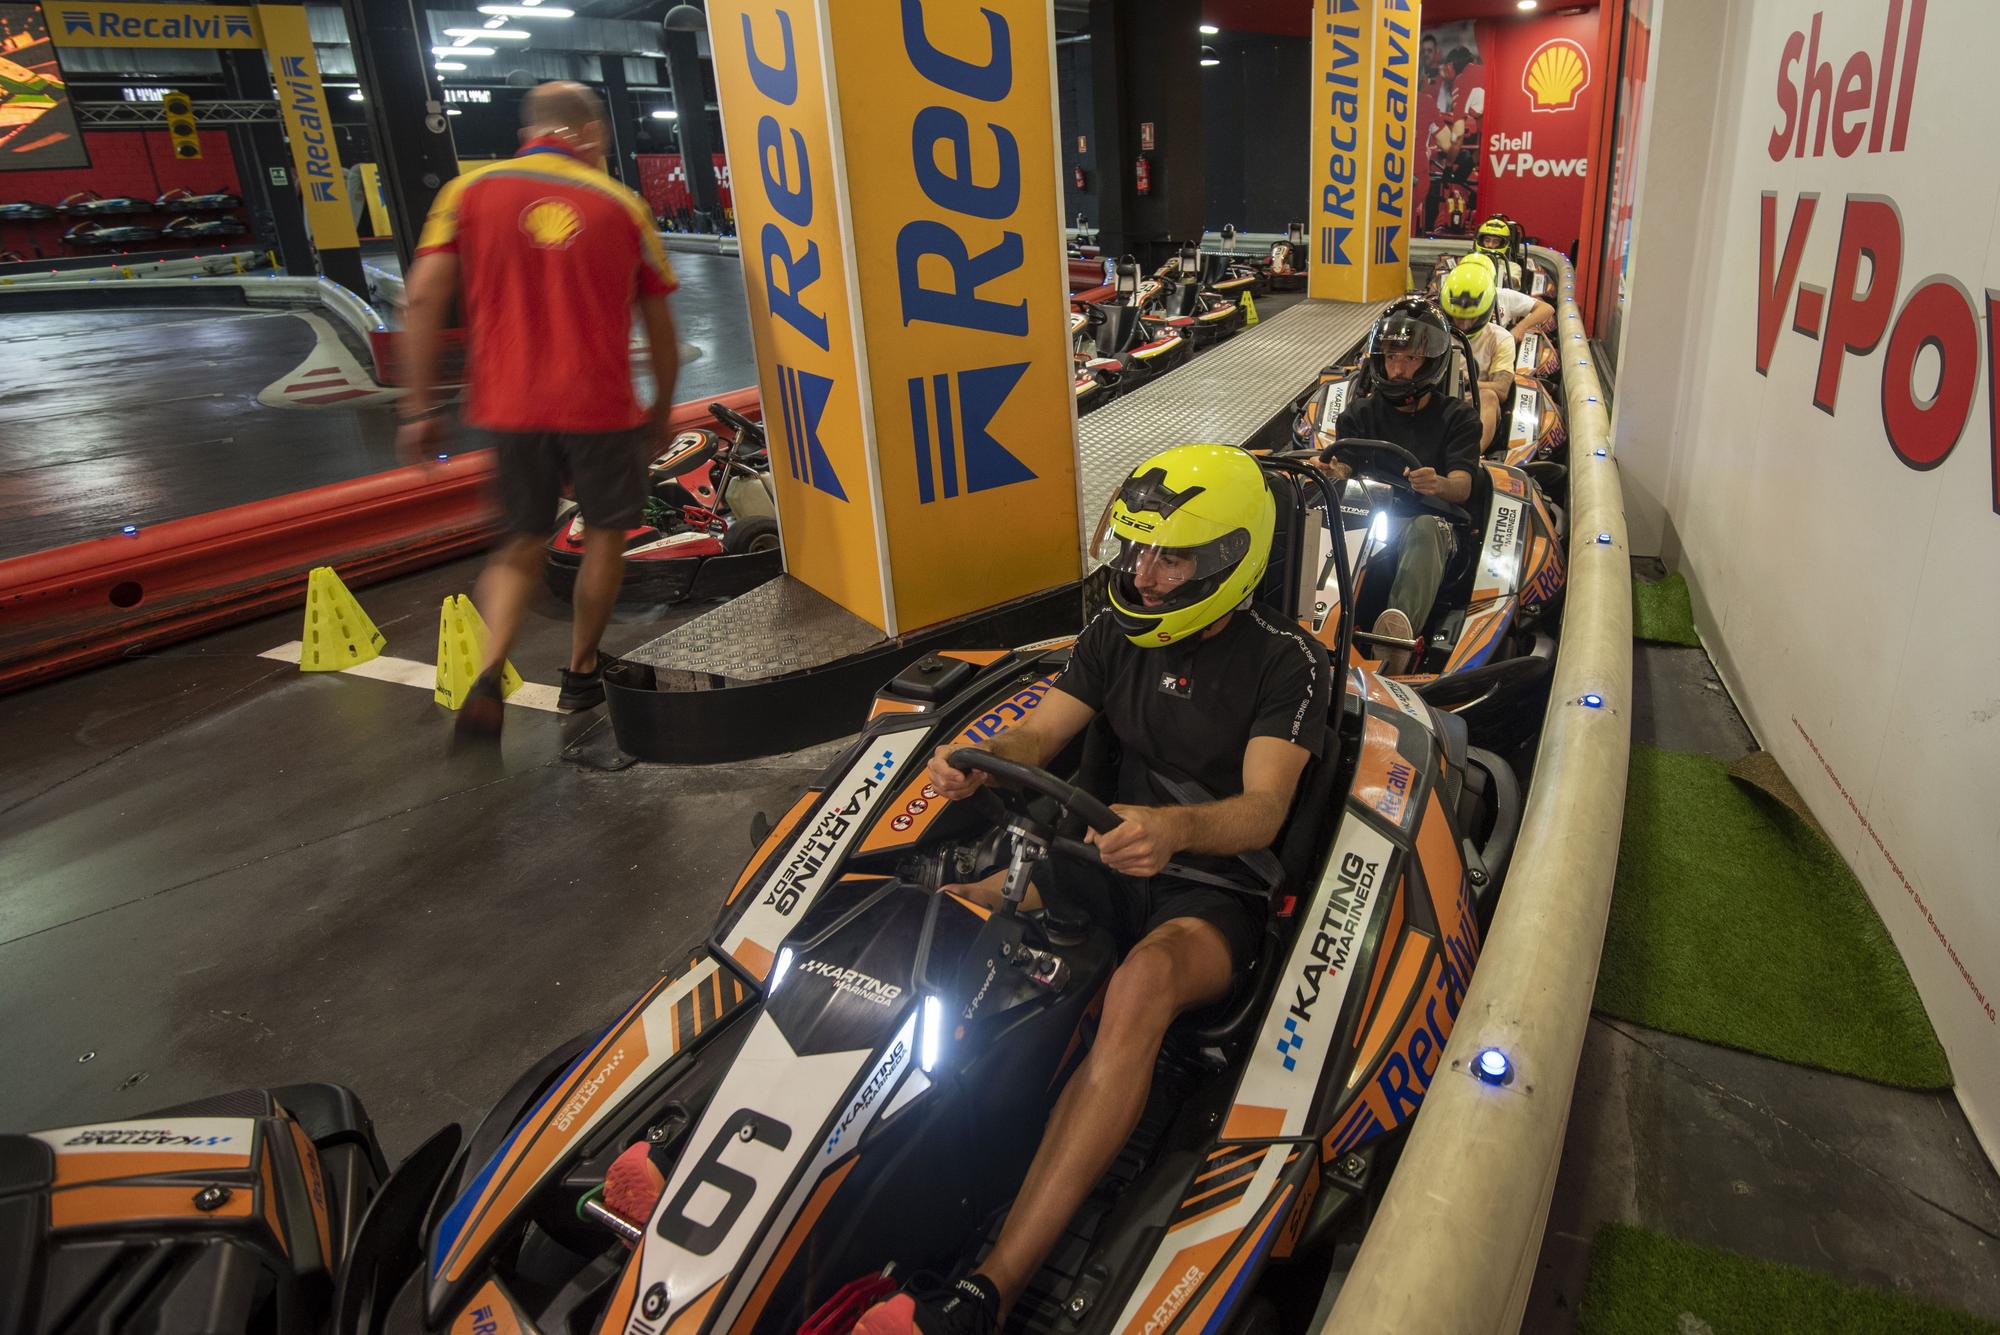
<point>1181,964</point>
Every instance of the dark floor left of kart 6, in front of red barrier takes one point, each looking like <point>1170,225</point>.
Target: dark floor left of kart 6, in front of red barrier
<point>225,872</point>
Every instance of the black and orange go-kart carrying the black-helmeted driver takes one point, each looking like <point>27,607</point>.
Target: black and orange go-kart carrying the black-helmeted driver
<point>1489,647</point>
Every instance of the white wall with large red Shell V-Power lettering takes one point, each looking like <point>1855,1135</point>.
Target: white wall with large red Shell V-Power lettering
<point>1851,601</point>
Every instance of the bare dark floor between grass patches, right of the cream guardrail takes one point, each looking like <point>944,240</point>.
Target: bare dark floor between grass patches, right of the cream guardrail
<point>1733,1150</point>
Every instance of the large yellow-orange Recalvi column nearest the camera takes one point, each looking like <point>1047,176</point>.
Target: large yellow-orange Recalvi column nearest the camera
<point>901,227</point>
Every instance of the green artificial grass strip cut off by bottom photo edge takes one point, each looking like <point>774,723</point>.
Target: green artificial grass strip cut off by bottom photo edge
<point>1649,1284</point>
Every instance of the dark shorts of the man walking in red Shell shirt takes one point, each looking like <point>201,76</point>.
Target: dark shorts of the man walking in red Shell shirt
<point>605,471</point>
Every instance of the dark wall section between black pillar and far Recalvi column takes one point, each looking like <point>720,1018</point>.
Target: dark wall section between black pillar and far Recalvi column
<point>1257,115</point>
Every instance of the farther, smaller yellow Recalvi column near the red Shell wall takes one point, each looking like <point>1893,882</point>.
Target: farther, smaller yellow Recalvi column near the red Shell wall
<point>1363,147</point>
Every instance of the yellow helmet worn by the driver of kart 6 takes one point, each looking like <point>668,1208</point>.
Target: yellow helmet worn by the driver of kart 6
<point>1193,525</point>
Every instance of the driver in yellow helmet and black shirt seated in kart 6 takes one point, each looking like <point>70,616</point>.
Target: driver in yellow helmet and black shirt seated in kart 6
<point>1199,684</point>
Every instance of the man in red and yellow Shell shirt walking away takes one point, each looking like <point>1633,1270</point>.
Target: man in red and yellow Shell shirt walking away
<point>549,257</point>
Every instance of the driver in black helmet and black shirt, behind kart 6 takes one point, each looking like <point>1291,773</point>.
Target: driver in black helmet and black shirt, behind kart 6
<point>1409,353</point>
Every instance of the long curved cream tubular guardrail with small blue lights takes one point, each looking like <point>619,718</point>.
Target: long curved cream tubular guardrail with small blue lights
<point>1453,1250</point>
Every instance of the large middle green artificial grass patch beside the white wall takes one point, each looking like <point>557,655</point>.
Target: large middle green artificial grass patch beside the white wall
<point>1735,922</point>
